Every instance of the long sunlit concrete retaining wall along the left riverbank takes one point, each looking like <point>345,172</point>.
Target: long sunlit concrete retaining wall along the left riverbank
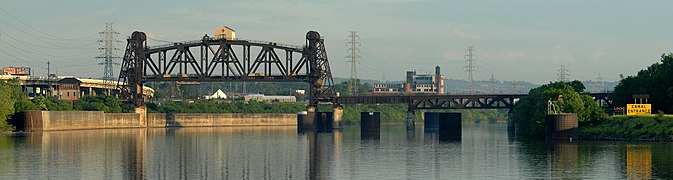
<point>73,120</point>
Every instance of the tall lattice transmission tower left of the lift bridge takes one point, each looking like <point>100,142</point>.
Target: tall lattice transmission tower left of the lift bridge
<point>109,48</point>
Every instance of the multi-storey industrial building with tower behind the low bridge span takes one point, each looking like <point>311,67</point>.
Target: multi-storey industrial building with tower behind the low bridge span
<point>414,84</point>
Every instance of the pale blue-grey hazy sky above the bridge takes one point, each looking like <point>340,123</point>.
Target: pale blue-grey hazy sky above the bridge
<point>523,40</point>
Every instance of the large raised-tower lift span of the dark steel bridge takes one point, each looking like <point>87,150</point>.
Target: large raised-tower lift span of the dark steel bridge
<point>222,60</point>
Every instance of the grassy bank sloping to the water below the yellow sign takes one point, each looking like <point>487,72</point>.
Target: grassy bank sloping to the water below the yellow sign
<point>642,128</point>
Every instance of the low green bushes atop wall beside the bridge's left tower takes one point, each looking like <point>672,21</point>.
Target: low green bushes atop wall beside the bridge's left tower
<point>106,103</point>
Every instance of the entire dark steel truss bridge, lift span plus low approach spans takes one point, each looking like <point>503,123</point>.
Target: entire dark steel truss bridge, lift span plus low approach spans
<point>218,59</point>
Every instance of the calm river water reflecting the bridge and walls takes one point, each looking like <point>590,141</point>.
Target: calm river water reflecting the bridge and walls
<point>485,152</point>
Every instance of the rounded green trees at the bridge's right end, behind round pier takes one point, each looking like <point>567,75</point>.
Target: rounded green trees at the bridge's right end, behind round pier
<point>529,113</point>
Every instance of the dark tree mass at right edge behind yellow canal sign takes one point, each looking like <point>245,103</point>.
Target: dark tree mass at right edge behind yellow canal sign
<point>655,81</point>
